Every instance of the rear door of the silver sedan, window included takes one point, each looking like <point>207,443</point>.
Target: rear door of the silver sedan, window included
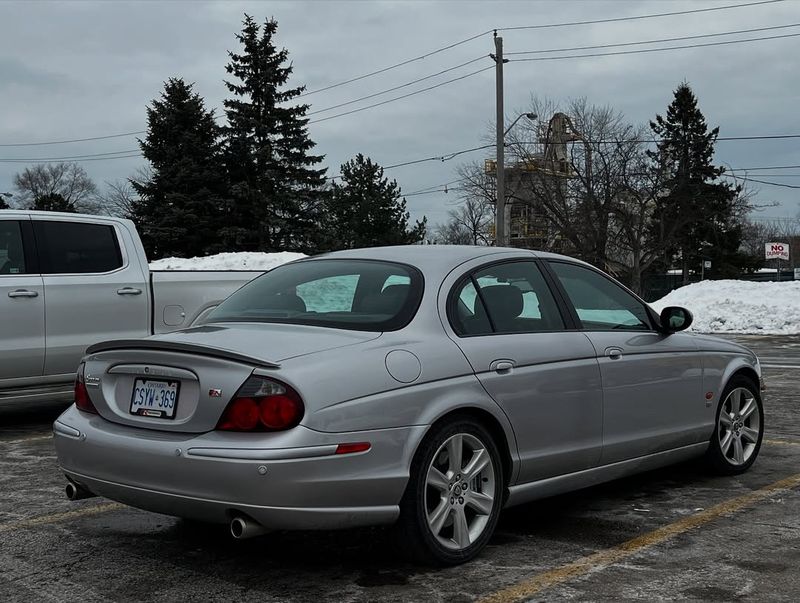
<point>545,378</point>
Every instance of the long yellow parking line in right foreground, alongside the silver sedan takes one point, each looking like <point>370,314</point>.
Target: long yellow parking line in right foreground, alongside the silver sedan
<point>535,584</point>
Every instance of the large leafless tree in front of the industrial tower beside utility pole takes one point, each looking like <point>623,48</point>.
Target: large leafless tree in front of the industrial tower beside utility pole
<point>583,172</point>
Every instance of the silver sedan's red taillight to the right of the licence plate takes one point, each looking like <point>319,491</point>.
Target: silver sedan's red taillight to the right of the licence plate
<point>262,404</point>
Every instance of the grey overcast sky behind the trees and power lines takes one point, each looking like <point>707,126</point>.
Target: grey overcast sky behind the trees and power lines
<point>84,69</point>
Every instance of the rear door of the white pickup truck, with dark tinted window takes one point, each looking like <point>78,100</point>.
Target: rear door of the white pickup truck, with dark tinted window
<point>95,291</point>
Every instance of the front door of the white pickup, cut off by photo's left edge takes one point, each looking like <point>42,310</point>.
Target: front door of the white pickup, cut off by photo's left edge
<point>21,304</point>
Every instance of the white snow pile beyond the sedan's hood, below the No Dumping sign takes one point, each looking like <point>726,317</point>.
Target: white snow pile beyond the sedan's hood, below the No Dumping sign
<point>728,306</point>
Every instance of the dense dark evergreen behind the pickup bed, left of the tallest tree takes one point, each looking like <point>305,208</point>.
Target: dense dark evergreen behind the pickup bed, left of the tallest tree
<point>179,209</point>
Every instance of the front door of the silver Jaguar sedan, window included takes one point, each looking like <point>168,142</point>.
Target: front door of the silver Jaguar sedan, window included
<point>652,382</point>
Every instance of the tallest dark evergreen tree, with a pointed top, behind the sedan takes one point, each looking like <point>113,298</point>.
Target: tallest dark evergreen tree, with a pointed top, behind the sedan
<point>276,192</point>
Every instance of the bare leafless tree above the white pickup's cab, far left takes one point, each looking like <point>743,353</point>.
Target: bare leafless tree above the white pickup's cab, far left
<point>67,181</point>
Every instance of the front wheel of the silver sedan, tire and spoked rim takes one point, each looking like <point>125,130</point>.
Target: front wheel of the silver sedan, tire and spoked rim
<point>738,428</point>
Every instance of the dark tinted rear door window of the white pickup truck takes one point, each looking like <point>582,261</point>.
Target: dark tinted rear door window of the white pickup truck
<point>77,248</point>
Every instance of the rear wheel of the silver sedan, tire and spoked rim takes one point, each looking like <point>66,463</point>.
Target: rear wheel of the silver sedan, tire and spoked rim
<point>442,522</point>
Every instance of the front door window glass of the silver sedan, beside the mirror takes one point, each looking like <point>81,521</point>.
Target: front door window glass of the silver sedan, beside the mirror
<point>601,304</point>
